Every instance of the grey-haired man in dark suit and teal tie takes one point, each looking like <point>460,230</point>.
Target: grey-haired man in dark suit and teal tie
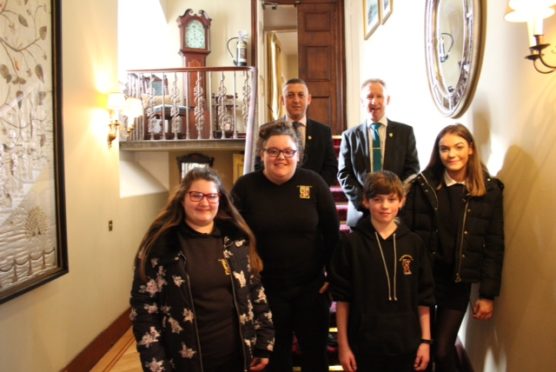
<point>398,151</point>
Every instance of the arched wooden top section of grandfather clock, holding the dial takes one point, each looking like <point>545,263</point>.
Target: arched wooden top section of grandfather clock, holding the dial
<point>194,37</point>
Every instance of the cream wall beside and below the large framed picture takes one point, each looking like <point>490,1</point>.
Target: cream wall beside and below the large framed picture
<point>43,330</point>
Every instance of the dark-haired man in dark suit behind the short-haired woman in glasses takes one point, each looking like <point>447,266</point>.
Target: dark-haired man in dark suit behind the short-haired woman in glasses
<point>318,150</point>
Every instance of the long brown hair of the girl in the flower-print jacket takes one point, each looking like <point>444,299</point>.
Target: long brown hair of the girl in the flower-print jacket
<point>173,214</point>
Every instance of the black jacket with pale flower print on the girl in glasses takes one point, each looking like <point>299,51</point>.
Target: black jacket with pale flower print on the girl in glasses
<point>163,314</point>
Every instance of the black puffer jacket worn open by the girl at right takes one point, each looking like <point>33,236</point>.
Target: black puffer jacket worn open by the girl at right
<point>480,249</point>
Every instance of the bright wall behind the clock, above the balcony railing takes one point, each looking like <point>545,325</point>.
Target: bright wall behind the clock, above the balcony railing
<point>149,30</point>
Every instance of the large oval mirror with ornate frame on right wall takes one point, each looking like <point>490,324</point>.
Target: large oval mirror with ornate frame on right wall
<point>454,36</point>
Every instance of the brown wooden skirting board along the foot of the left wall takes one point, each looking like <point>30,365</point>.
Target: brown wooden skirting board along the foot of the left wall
<point>93,352</point>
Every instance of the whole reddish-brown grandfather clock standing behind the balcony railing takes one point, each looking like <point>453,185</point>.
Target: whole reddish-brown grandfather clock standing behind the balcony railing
<point>194,47</point>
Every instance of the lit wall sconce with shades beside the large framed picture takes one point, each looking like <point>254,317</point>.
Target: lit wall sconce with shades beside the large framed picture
<point>123,112</point>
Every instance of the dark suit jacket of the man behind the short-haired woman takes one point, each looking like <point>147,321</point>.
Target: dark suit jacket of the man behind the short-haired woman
<point>319,154</point>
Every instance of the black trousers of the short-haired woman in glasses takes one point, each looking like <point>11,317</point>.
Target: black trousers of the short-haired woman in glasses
<point>305,314</point>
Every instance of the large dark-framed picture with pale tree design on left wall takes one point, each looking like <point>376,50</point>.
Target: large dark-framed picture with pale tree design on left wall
<point>33,247</point>
